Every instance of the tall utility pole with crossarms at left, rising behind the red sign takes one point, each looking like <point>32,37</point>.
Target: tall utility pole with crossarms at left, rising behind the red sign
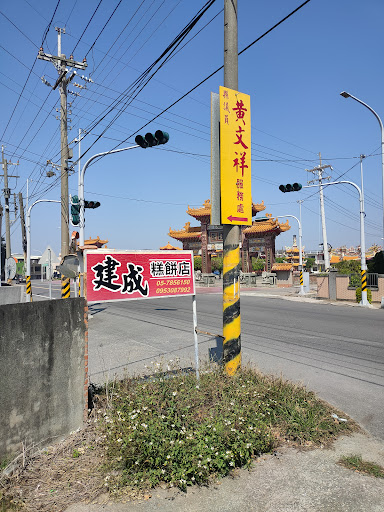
<point>61,62</point>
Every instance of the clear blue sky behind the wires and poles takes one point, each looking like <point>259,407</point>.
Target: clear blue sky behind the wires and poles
<point>294,76</point>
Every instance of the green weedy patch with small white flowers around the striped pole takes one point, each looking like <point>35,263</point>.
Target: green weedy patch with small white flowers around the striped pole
<point>169,430</point>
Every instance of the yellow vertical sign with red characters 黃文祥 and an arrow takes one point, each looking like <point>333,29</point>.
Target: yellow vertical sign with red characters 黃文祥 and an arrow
<point>235,157</point>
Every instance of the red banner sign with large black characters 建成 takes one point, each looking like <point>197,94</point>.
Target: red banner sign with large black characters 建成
<point>128,275</point>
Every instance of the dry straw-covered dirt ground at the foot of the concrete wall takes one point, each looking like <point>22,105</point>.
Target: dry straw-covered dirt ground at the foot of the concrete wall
<point>56,476</point>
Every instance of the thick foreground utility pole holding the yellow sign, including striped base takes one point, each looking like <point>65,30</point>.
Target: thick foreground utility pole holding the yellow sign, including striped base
<point>231,233</point>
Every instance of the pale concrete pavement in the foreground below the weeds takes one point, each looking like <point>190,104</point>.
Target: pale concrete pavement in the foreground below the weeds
<point>289,480</point>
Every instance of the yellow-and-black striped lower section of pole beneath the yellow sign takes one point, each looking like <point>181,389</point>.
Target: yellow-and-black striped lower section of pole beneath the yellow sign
<point>231,300</point>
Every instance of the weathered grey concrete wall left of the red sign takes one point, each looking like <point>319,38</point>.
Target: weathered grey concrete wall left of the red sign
<point>43,377</point>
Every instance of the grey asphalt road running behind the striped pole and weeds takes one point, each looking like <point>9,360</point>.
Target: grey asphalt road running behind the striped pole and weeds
<point>337,351</point>
